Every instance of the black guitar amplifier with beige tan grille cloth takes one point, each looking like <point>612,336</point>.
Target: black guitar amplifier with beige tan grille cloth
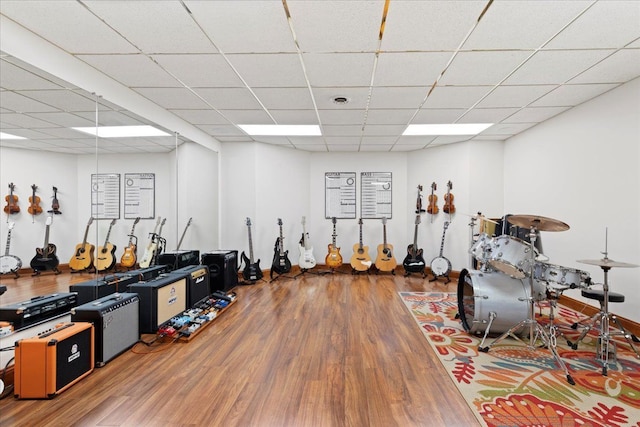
<point>160,299</point>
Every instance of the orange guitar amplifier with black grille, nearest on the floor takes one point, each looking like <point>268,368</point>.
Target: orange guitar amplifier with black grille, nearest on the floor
<point>51,362</point>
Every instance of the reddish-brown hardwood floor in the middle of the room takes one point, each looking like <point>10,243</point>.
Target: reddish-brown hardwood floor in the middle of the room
<point>320,350</point>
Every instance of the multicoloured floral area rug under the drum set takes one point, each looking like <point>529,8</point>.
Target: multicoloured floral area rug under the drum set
<point>512,385</point>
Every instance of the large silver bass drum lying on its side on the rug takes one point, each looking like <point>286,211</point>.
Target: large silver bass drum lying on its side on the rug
<point>482,295</point>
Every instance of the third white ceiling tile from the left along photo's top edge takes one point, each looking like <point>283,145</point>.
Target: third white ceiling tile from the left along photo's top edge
<point>246,27</point>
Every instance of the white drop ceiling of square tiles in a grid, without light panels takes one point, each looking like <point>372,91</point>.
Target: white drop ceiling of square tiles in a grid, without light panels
<point>212,65</point>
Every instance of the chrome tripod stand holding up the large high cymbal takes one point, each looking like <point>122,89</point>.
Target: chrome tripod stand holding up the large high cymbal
<point>536,330</point>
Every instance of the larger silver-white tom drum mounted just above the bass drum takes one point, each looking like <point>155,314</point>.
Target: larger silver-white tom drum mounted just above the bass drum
<point>511,256</point>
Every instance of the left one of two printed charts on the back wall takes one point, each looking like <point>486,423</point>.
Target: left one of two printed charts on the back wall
<point>340,194</point>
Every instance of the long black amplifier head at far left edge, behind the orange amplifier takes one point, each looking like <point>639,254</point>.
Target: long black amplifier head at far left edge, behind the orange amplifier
<point>37,309</point>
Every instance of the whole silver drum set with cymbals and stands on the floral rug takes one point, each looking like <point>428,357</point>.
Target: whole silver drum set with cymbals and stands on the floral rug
<point>511,275</point>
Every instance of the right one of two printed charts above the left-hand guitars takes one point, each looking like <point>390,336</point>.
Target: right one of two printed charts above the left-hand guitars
<point>139,195</point>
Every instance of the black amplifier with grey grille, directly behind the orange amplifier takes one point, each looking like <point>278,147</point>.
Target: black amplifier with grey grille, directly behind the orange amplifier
<point>116,321</point>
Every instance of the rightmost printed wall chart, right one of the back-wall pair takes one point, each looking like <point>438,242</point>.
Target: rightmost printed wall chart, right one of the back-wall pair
<point>375,195</point>
